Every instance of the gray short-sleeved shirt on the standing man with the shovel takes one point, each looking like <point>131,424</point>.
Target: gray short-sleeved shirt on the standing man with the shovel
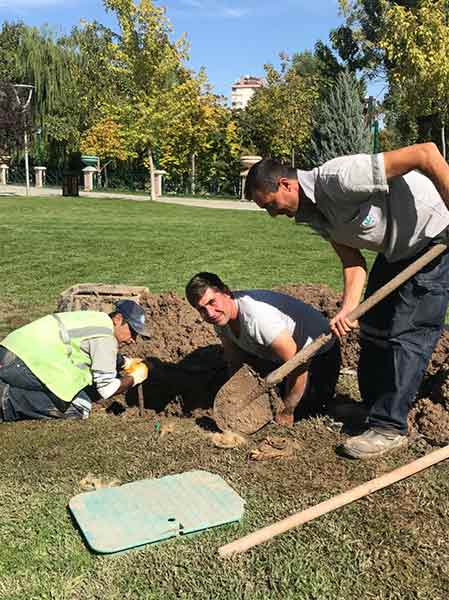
<point>350,201</point>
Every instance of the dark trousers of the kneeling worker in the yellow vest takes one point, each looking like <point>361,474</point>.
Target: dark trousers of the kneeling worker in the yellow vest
<point>24,396</point>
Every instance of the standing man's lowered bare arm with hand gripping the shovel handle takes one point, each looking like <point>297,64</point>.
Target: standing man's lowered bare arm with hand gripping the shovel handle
<point>354,276</point>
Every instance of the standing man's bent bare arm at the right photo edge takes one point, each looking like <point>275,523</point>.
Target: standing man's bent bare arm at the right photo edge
<point>423,157</point>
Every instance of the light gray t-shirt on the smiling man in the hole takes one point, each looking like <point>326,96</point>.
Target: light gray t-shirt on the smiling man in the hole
<point>264,314</point>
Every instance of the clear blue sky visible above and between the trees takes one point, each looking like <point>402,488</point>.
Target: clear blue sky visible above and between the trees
<point>230,38</point>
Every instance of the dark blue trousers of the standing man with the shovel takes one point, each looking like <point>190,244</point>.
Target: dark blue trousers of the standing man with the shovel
<point>398,337</point>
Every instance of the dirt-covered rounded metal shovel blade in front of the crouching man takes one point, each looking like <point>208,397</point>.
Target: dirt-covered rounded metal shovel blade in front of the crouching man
<point>243,404</point>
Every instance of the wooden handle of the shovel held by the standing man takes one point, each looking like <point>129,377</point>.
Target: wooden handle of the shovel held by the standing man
<point>304,355</point>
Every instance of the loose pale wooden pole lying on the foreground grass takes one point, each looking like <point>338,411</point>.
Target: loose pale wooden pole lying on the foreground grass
<point>266,533</point>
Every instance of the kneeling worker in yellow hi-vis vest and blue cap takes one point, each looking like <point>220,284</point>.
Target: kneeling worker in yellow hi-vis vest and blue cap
<point>48,366</point>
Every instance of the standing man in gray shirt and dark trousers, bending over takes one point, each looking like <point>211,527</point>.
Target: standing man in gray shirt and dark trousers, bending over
<point>396,204</point>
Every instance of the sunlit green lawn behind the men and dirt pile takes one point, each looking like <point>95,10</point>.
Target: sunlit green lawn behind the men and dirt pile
<point>49,244</point>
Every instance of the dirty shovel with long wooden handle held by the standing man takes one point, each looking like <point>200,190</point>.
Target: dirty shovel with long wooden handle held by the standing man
<point>244,403</point>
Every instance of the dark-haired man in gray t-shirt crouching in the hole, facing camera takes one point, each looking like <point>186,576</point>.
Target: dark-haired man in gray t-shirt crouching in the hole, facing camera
<point>271,327</point>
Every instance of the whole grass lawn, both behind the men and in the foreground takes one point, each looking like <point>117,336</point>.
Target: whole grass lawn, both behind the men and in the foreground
<point>392,545</point>
